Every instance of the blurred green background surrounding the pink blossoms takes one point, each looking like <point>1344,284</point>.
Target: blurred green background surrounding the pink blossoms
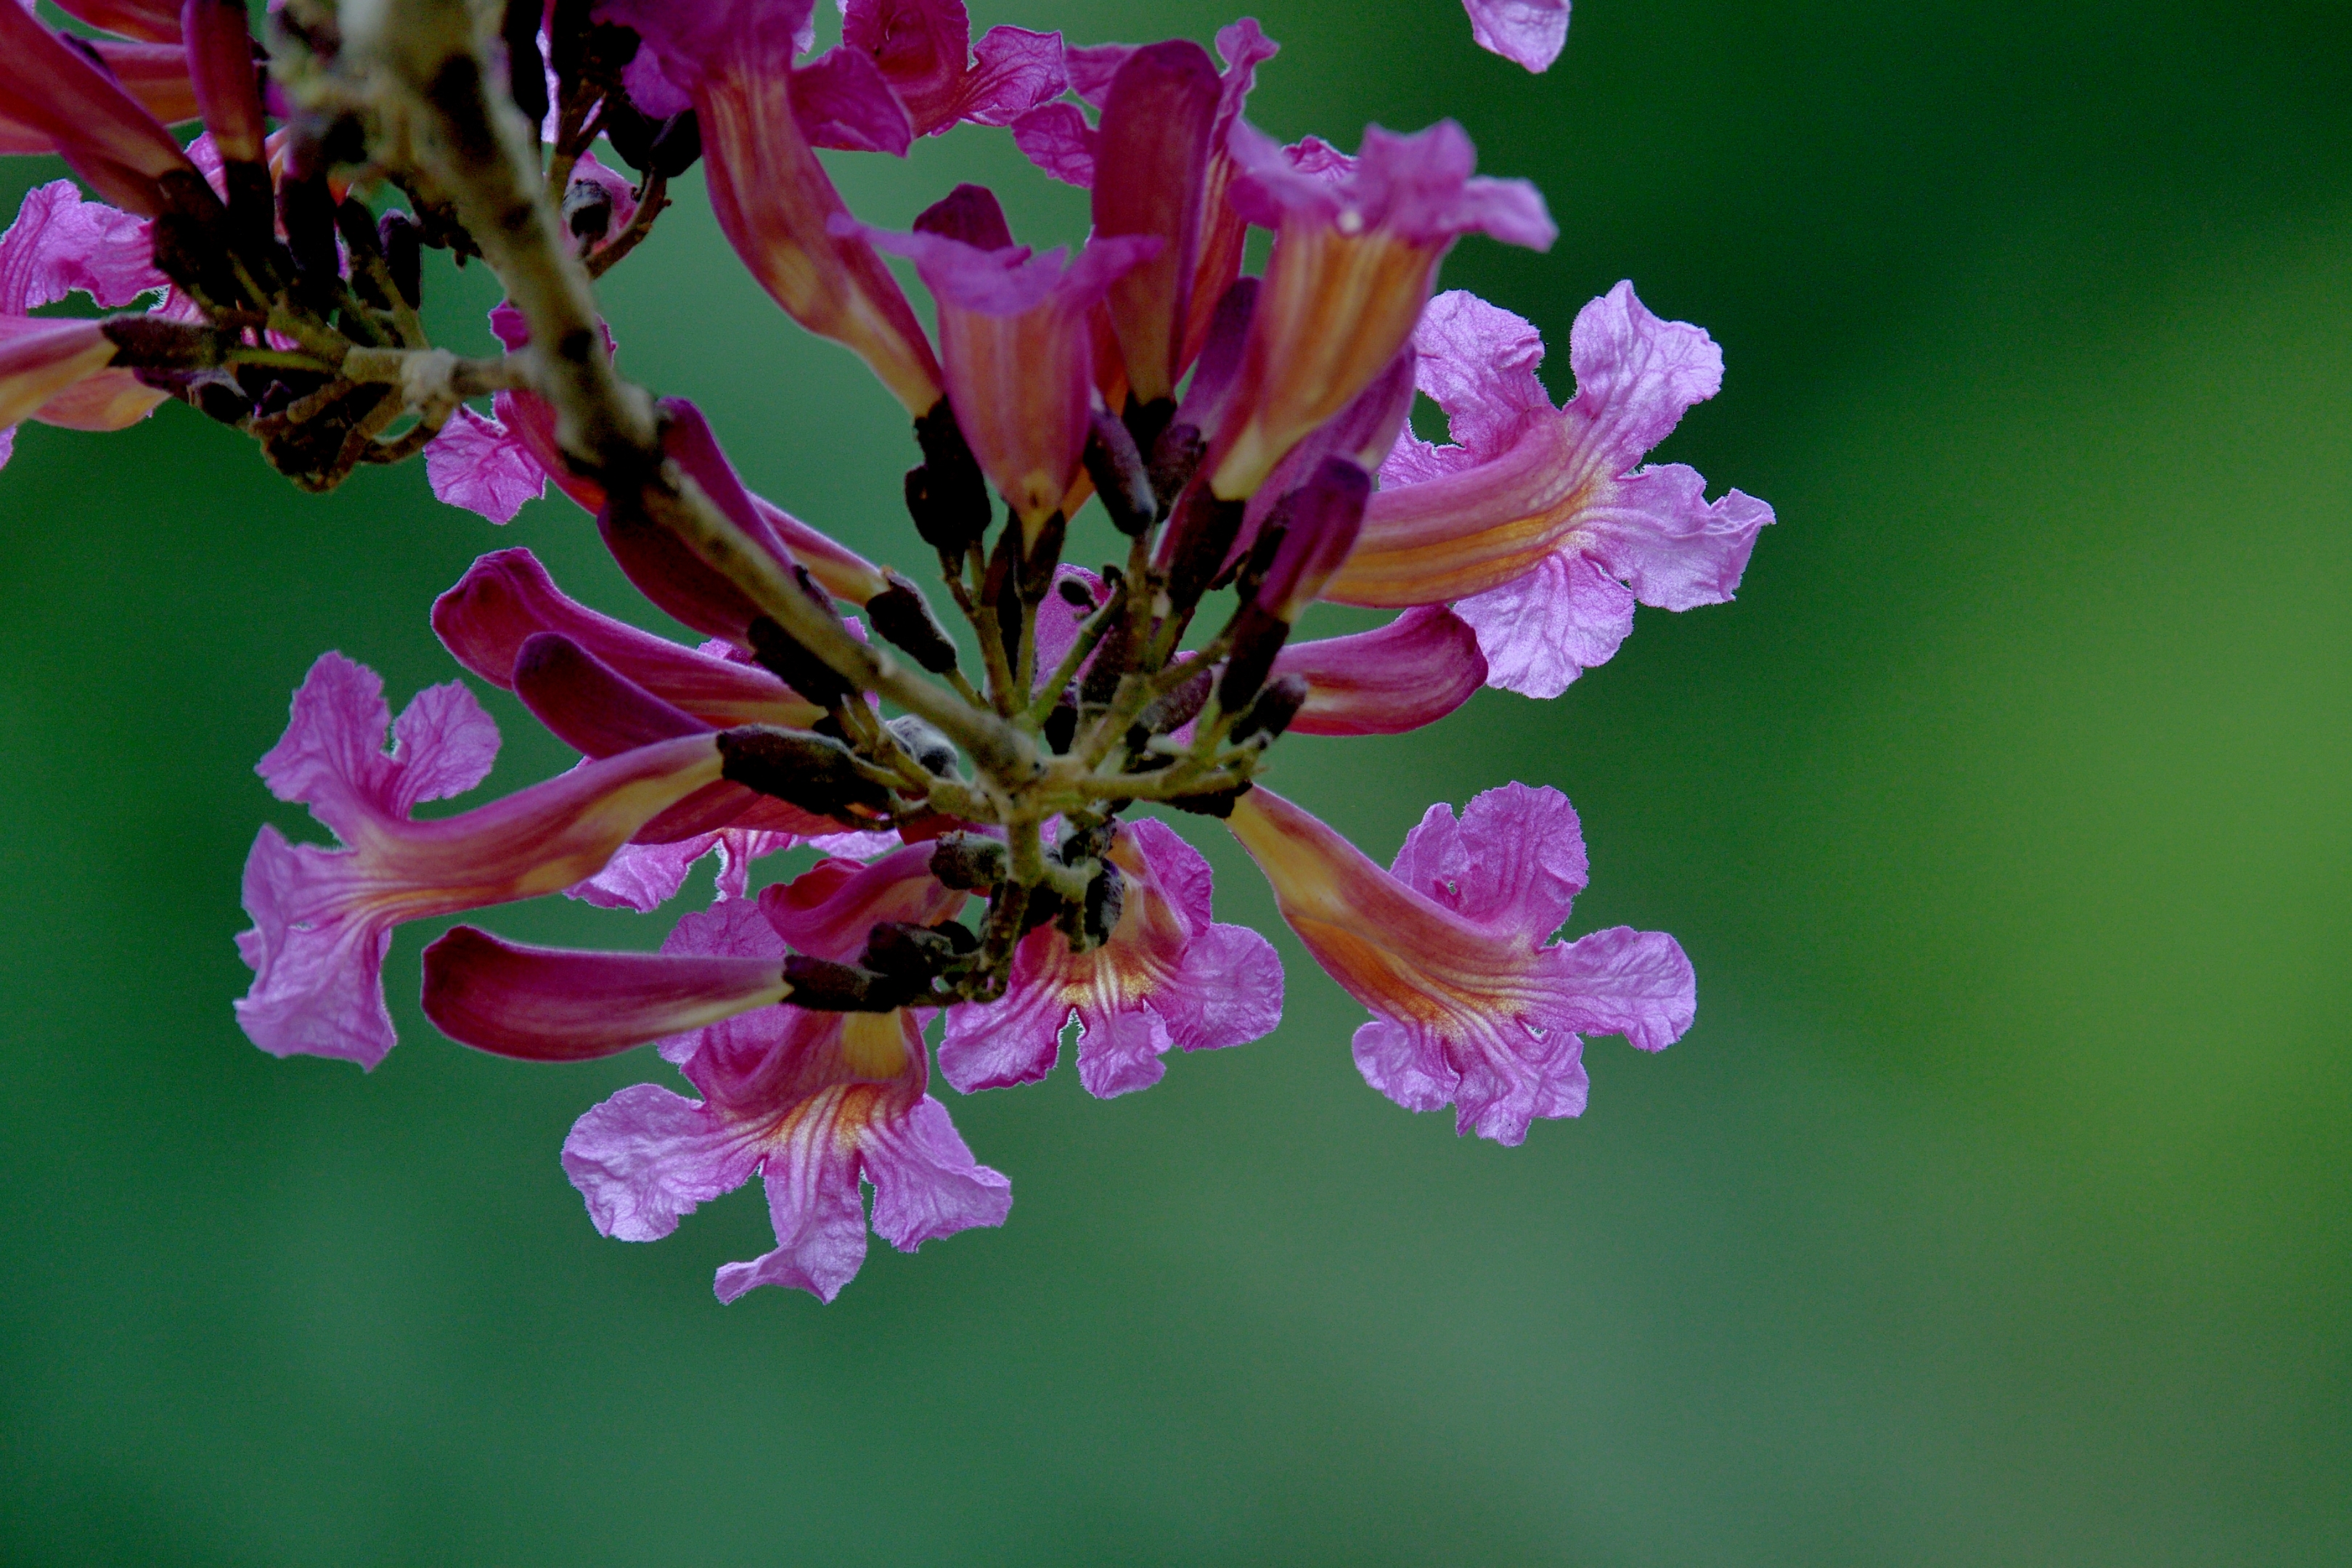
<point>1991,1214</point>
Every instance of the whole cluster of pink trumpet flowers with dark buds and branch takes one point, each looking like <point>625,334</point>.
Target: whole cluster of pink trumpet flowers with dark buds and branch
<point>975,798</point>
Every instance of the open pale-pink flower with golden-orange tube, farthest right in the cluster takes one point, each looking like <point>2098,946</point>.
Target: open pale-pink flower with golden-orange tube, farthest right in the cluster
<point>1537,523</point>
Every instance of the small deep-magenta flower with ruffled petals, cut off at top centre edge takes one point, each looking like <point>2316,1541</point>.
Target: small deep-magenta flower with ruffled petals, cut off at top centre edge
<point>923,51</point>
